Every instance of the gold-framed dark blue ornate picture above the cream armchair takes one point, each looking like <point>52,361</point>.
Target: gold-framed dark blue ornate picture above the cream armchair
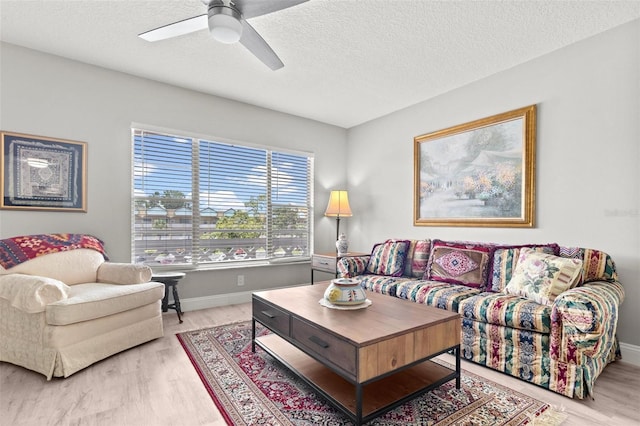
<point>42,173</point>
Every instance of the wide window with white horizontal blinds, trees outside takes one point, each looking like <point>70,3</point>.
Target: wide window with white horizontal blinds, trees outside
<point>200,202</point>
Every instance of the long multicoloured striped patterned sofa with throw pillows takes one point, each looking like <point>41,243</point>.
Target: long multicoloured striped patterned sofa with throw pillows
<point>541,312</point>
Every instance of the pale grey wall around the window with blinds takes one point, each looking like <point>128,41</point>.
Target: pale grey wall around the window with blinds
<point>51,96</point>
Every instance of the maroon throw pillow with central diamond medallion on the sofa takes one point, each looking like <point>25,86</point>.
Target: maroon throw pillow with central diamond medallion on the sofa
<point>459,263</point>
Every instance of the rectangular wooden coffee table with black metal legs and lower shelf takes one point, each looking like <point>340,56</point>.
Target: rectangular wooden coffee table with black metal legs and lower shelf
<point>366,361</point>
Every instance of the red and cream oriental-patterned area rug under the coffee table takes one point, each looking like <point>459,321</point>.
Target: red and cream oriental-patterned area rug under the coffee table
<point>253,388</point>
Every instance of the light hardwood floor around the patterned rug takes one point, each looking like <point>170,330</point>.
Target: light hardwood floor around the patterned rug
<point>155,384</point>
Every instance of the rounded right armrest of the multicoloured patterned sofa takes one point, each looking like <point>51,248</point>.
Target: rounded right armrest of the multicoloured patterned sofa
<point>584,321</point>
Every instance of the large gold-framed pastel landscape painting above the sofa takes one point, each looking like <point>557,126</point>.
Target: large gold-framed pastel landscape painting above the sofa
<point>479,174</point>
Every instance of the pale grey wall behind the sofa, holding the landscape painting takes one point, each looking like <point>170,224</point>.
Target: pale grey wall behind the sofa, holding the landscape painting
<point>587,188</point>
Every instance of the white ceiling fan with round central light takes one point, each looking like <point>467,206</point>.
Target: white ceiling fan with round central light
<point>226,20</point>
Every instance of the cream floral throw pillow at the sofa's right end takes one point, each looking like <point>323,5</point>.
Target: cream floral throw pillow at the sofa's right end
<point>542,277</point>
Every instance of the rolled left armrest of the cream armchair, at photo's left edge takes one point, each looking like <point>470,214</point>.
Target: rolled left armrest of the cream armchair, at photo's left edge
<point>31,293</point>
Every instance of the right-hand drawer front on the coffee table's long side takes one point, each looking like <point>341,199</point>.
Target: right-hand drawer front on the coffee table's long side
<point>324,345</point>
